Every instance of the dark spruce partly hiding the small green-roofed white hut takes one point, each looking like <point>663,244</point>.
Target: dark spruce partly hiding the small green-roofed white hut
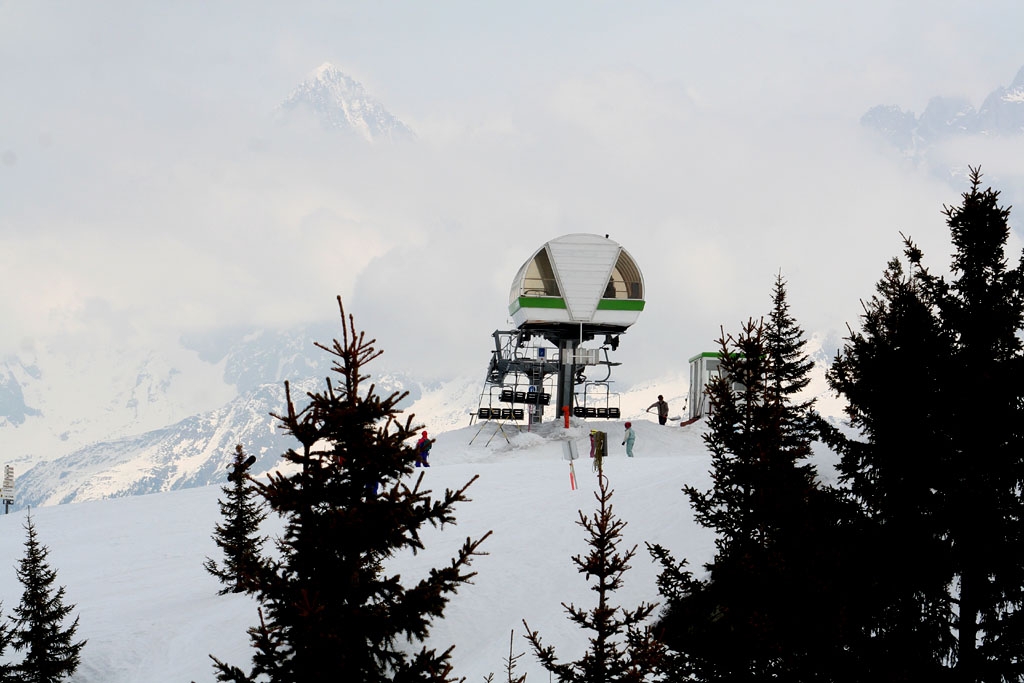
<point>774,606</point>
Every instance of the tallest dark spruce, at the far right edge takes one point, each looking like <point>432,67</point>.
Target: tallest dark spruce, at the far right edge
<point>983,311</point>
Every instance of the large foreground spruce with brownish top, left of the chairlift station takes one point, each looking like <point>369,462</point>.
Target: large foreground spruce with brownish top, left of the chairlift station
<point>330,610</point>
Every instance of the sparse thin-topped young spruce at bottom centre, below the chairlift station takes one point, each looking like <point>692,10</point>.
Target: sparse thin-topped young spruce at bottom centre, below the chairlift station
<point>623,649</point>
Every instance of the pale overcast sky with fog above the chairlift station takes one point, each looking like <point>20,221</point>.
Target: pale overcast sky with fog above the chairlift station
<point>147,192</point>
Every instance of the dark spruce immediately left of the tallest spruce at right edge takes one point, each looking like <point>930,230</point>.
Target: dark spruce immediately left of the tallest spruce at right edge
<point>891,374</point>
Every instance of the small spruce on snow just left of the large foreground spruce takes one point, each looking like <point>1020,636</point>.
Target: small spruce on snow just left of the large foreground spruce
<point>238,536</point>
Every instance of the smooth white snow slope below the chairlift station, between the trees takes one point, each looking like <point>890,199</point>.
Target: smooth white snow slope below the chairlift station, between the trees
<point>133,567</point>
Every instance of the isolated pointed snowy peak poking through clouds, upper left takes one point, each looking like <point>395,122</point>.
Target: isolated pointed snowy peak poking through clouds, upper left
<point>342,103</point>
